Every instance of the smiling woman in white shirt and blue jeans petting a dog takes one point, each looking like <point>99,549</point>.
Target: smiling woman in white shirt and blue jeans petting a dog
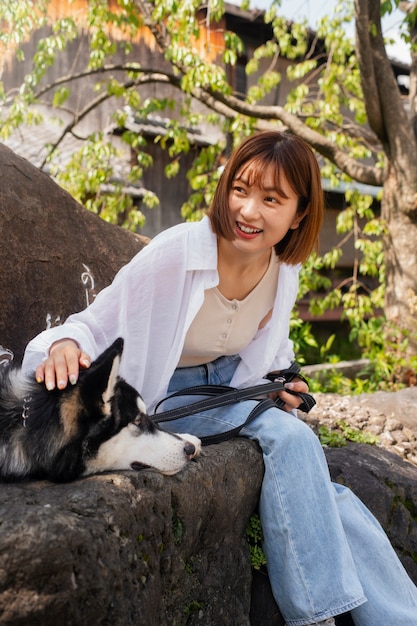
<point>210,303</point>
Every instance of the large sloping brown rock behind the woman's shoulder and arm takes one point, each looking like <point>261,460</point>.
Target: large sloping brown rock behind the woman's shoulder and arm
<point>54,254</point>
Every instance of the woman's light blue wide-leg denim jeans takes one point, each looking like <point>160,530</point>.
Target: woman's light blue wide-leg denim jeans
<point>326,553</point>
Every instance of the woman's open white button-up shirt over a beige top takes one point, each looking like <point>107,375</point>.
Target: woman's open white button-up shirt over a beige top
<point>151,304</point>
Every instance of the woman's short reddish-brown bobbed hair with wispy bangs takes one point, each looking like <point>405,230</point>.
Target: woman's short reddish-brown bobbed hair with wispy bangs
<point>292,157</point>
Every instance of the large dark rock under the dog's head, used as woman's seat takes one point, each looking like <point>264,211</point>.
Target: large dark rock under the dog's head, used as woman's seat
<point>132,548</point>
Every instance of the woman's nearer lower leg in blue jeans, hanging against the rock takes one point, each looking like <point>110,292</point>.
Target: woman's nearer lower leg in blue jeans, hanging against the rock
<point>310,565</point>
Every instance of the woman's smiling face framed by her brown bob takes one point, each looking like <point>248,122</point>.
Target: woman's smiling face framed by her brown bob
<point>262,215</point>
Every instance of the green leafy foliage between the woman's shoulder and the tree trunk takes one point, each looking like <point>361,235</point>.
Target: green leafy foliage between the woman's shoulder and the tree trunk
<point>361,299</point>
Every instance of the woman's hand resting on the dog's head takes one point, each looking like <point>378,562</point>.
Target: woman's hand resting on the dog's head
<point>62,365</point>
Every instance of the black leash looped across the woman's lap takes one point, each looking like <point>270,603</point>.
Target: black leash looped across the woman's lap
<point>221,395</point>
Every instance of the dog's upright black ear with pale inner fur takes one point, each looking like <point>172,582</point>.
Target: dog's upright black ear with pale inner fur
<point>98,382</point>
